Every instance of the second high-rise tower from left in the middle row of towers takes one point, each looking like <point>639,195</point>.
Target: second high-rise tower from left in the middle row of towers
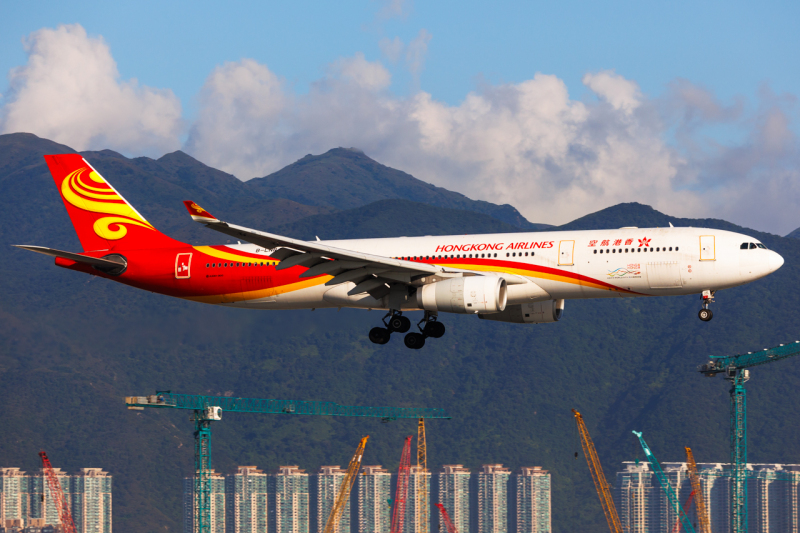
<point>246,501</point>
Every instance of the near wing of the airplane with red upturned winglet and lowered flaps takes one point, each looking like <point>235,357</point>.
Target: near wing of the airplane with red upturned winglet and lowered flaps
<point>374,274</point>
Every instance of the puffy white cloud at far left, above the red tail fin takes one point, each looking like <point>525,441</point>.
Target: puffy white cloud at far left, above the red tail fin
<point>70,91</point>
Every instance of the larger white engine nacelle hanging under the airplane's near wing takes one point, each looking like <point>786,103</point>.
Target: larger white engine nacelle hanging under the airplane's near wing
<point>471,294</point>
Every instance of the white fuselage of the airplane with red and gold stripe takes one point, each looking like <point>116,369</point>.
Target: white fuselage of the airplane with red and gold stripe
<point>624,262</point>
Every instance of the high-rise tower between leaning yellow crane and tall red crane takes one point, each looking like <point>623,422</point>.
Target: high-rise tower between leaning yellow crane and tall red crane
<point>374,493</point>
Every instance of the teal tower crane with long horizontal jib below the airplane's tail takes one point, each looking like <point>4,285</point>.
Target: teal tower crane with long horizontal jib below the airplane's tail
<point>207,409</point>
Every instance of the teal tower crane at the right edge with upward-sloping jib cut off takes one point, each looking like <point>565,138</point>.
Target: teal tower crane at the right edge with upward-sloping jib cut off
<point>734,367</point>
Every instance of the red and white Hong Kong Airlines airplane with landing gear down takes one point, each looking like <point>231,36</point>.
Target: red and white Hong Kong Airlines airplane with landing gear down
<point>522,278</point>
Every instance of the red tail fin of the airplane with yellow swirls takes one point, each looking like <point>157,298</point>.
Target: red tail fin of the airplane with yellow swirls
<point>102,218</point>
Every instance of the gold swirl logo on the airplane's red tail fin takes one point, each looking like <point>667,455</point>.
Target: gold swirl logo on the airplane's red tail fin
<point>87,190</point>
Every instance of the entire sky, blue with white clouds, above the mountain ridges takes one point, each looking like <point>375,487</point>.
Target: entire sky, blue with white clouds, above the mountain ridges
<point>684,102</point>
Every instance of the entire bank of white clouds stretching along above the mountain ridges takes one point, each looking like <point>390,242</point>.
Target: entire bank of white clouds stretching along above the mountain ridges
<point>527,144</point>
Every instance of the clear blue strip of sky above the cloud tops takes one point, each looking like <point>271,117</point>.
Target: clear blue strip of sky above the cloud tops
<point>731,47</point>
